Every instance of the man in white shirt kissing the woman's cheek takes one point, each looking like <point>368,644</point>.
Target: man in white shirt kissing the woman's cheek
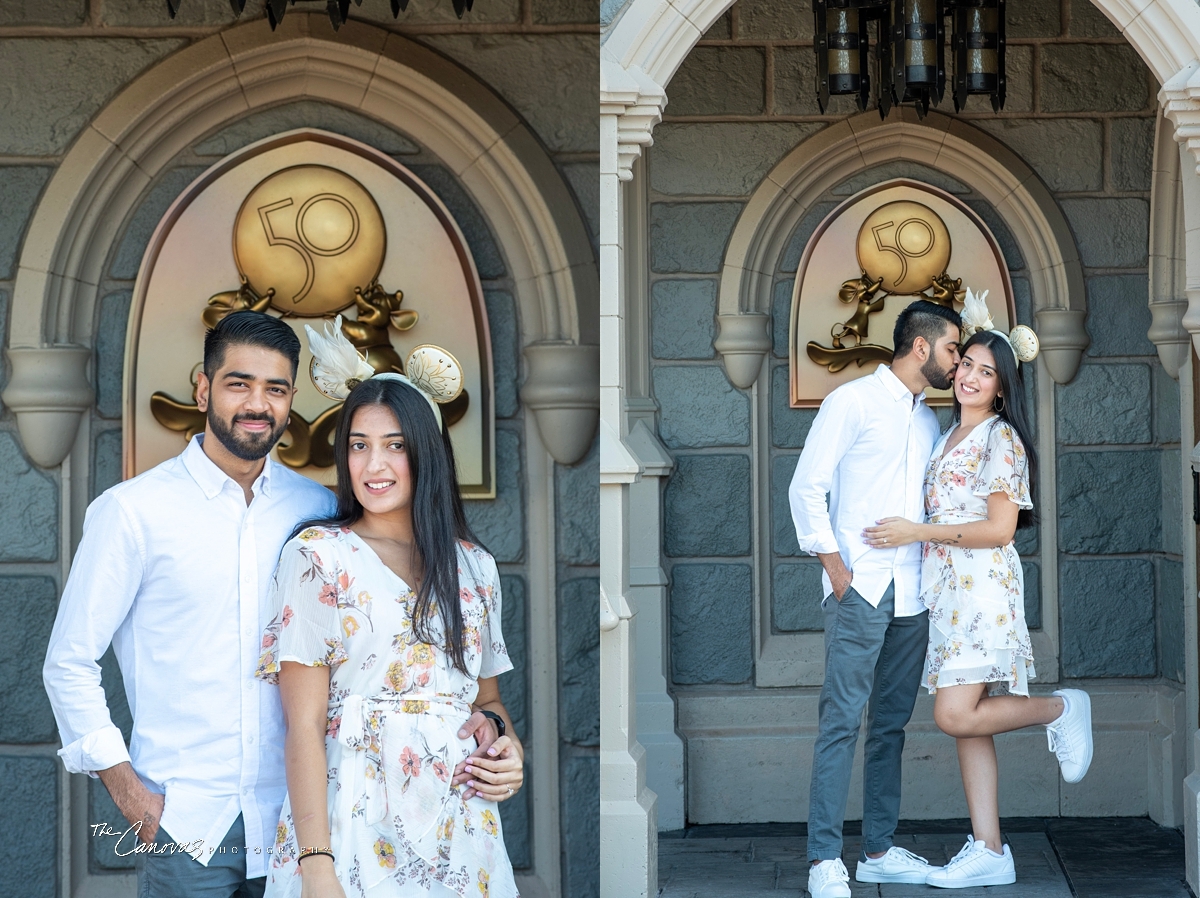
<point>868,451</point>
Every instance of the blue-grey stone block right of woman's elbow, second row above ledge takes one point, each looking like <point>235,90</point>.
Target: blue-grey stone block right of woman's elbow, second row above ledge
<point>1109,504</point>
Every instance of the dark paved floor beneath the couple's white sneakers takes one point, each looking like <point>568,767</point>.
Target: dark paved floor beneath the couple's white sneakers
<point>1057,858</point>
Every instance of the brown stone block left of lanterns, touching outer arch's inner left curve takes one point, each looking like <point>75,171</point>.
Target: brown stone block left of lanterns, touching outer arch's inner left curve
<point>721,81</point>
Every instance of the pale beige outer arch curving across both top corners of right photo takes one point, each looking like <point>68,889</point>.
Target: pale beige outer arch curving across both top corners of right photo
<point>657,35</point>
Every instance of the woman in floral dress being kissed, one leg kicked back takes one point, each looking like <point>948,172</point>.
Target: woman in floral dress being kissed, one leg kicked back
<point>980,660</point>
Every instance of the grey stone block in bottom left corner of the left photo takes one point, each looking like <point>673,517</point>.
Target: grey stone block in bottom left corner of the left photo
<point>29,791</point>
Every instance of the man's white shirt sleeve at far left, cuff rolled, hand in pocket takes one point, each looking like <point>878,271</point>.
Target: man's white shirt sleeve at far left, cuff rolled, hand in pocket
<point>105,579</point>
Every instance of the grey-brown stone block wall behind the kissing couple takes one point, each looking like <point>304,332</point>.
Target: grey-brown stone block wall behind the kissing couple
<point>740,103</point>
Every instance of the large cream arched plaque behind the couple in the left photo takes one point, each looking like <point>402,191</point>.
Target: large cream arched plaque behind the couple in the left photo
<point>193,259</point>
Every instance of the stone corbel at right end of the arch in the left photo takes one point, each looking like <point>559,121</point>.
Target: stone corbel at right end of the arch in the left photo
<point>563,391</point>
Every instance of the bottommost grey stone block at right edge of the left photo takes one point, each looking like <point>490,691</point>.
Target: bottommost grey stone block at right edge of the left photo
<point>581,825</point>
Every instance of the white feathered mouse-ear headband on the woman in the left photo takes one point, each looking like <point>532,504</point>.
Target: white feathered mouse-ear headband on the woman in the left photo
<point>338,368</point>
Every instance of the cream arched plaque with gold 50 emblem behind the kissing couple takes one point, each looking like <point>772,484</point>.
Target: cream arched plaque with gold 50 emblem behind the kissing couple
<point>903,241</point>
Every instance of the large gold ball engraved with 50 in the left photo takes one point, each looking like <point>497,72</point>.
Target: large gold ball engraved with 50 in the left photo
<point>311,235</point>
